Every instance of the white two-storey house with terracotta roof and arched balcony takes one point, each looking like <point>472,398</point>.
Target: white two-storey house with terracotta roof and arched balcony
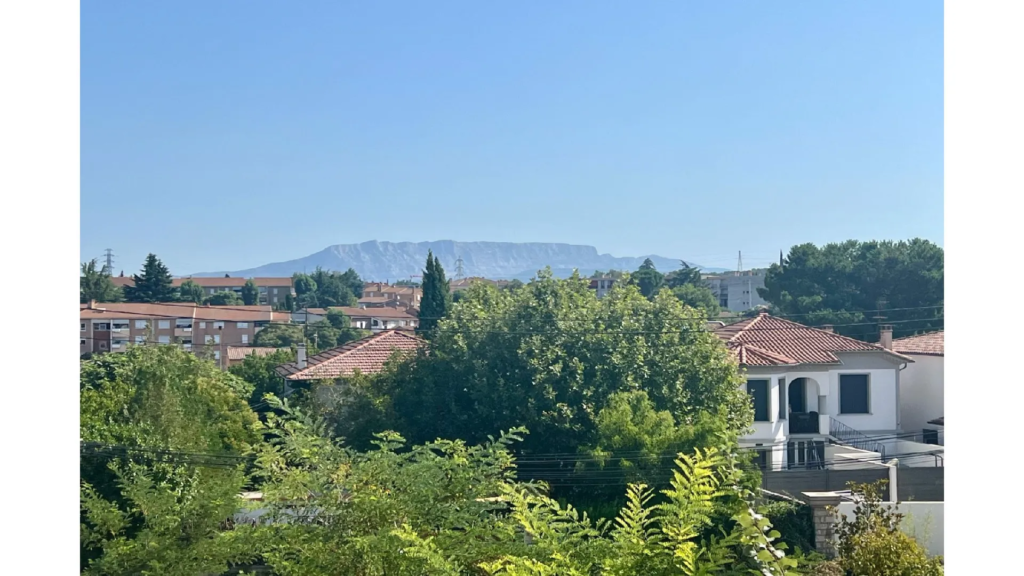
<point>814,390</point>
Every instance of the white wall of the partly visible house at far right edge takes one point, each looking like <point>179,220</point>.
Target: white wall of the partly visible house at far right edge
<point>922,393</point>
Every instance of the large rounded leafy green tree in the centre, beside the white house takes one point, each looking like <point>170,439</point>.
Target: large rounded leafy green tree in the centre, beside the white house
<point>548,356</point>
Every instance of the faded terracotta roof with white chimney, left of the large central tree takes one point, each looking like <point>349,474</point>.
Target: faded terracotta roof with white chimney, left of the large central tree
<point>367,355</point>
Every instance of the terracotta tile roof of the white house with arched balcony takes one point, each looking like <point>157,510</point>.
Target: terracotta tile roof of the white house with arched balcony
<point>766,341</point>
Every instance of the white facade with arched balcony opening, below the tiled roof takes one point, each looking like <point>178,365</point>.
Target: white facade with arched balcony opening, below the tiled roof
<point>822,396</point>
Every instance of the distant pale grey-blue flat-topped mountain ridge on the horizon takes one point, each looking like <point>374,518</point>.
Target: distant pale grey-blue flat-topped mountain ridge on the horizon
<point>396,261</point>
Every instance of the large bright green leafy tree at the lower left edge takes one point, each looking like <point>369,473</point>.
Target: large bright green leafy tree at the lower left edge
<point>149,505</point>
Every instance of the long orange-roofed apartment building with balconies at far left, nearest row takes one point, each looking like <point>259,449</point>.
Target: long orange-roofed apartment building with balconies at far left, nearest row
<point>205,331</point>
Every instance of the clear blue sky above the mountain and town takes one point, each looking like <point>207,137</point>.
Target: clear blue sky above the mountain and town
<point>228,135</point>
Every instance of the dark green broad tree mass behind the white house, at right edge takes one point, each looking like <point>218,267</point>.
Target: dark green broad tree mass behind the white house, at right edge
<point>858,285</point>
